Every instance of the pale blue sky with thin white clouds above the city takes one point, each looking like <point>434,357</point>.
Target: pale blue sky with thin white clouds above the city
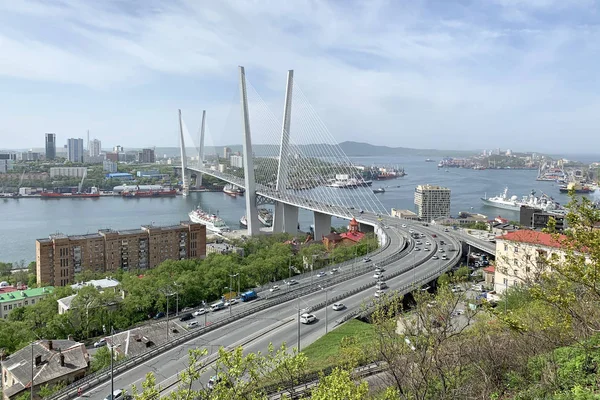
<point>518,74</point>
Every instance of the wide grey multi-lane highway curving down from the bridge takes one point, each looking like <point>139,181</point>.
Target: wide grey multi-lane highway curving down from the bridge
<point>279,323</point>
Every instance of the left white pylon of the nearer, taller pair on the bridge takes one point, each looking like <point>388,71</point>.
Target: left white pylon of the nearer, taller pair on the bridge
<point>250,183</point>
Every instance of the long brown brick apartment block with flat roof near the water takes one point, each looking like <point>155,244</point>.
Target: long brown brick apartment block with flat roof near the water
<point>60,257</point>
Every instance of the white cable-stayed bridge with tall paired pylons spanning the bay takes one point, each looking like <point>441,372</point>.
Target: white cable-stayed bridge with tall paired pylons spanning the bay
<point>302,166</point>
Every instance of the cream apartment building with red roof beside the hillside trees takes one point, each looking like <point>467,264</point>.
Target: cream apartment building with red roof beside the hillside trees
<point>521,256</point>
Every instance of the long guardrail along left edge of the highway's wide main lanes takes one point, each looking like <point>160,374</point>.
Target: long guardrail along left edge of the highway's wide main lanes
<point>119,367</point>
